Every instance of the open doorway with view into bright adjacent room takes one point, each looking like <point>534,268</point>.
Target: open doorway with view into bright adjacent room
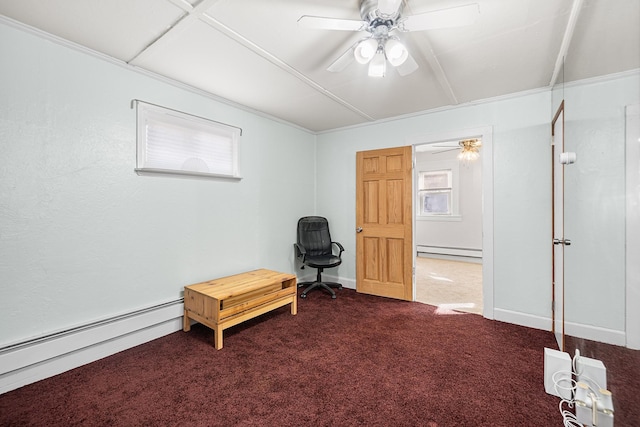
<point>456,274</point>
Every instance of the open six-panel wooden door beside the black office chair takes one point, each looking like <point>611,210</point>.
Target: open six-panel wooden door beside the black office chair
<point>384,239</point>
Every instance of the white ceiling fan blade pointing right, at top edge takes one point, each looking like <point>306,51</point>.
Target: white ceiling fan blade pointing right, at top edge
<point>443,18</point>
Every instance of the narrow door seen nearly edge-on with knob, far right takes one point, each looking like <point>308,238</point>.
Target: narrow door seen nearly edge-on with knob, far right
<point>557,171</point>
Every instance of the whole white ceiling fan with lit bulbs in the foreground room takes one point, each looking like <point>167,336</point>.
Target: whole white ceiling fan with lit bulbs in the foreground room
<point>382,19</point>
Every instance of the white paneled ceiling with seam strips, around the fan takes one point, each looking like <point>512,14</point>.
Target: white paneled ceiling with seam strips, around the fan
<point>252,52</point>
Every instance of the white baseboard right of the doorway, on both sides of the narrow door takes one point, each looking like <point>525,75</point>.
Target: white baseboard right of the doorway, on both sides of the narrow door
<point>578,330</point>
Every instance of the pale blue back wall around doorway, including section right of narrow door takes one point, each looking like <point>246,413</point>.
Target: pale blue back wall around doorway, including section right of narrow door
<point>521,188</point>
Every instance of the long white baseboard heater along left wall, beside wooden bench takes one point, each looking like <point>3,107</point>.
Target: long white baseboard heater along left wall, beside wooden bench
<point>35,360</point>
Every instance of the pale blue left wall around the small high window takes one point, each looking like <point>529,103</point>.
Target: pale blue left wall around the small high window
<point>82,237</point>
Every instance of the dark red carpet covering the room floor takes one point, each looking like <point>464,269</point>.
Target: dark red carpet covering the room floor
<point>355,361</point>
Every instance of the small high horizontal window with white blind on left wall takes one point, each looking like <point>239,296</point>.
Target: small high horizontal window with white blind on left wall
<point>171,142</point>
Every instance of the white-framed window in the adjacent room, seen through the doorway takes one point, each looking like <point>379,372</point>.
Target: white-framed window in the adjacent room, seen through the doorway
<point>435,193</point>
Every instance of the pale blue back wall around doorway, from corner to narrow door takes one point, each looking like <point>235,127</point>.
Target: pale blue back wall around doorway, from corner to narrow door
<point>520,155</point>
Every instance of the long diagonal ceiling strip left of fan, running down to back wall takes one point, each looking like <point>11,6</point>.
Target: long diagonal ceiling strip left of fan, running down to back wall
<point>219,26</point>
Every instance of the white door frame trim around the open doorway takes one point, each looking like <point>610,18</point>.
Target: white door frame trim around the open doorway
<point>486,156</point>
